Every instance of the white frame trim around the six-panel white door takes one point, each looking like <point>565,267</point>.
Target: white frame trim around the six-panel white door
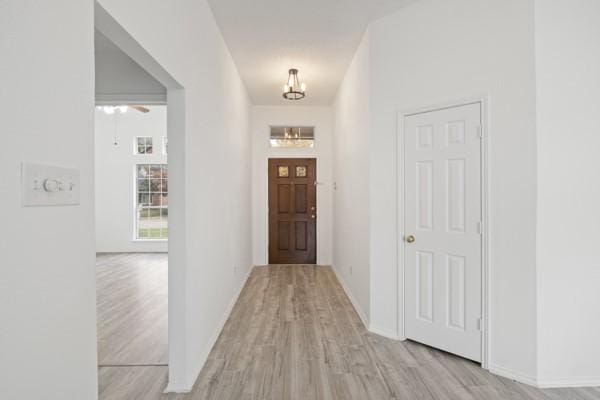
<point>483,100</point>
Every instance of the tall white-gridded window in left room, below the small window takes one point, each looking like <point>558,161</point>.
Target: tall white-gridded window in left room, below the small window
<point>152,202</point>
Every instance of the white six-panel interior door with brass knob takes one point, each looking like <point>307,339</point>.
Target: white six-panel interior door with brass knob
<point>442,229</point>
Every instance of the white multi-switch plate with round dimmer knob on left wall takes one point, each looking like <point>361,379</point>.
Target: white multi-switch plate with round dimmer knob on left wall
<point>44,185</point>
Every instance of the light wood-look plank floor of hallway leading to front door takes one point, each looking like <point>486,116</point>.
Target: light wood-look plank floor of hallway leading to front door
<point>294,334</point>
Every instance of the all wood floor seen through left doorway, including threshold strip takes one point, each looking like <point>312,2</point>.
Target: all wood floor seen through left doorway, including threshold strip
<point>132,325</point>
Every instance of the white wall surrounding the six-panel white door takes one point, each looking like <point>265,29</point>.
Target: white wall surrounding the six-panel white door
<point>435,52</point>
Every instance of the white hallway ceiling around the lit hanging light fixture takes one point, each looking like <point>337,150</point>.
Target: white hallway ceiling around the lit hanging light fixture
<point>319,37</point>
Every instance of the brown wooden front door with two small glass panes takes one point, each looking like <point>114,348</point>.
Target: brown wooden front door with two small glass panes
<point>292,211</point>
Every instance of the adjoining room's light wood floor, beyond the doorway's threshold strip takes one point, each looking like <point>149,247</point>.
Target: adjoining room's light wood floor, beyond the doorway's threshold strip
<point>132,308</point>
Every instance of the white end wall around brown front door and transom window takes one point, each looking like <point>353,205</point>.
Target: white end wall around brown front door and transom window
<point>321,119</point>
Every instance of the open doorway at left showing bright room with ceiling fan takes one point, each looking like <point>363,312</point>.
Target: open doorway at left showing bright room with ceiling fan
<point>132,211</point>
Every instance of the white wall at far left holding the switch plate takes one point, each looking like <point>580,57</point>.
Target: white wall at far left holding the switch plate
<point>47,269</point>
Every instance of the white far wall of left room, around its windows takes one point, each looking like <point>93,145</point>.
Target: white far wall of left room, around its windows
<point>114,172</point>
